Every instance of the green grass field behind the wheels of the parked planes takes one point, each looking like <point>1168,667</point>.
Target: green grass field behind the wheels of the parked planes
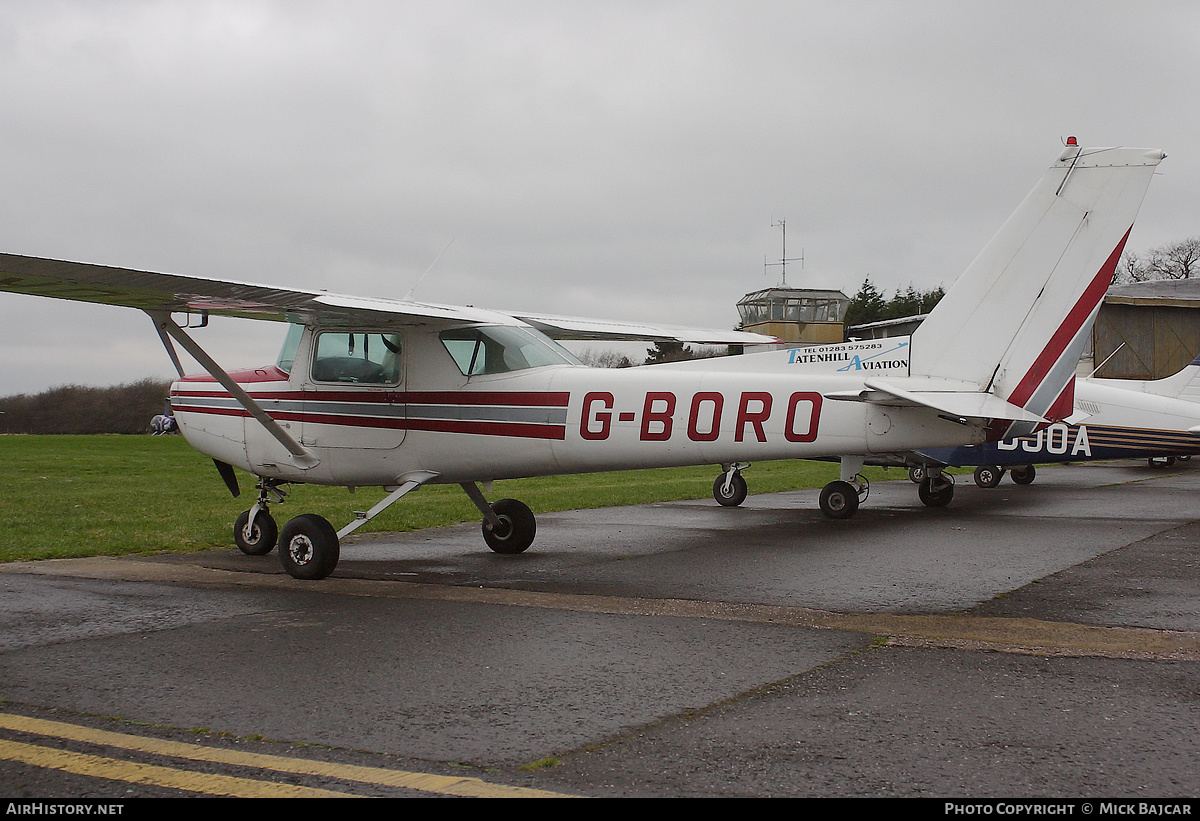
<point>69,496</point>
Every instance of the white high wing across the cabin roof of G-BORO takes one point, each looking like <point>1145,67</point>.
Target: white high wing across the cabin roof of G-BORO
<point>173,293</point>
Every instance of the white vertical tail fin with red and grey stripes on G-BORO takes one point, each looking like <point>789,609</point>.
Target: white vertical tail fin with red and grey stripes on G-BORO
<point>1017,321</point>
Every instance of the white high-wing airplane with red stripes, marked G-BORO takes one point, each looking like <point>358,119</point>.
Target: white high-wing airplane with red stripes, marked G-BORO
<point>401,394</point>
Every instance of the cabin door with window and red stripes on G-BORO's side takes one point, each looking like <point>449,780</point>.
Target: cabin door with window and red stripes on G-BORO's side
<point>355,392</point>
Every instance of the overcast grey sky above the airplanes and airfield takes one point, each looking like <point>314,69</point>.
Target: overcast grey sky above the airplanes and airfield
<point>619,160</point>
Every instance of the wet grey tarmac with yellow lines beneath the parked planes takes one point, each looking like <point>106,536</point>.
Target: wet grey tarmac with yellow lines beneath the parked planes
<point>1037,640</point>
